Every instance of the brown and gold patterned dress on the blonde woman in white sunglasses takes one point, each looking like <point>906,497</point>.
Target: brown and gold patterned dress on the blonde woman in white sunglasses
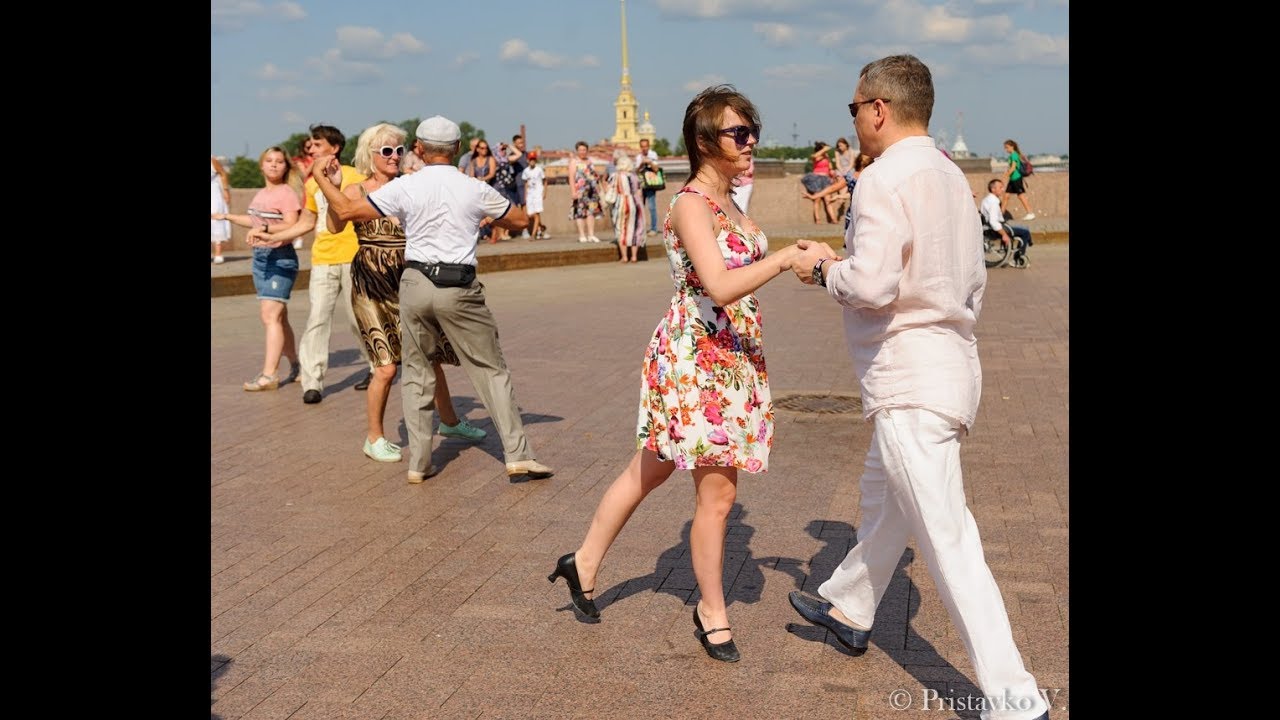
<point>376,293</point>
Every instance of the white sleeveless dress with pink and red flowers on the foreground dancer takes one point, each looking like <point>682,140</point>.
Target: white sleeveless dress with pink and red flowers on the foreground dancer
<point>706,393</point>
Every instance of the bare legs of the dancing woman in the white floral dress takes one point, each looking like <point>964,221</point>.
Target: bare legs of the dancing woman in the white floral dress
<point>716,491</point>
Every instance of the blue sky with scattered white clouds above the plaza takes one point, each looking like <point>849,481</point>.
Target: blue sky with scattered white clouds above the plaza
<point>277,67</point>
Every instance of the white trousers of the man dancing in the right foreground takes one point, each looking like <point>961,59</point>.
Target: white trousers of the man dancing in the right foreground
<point>912,487</point>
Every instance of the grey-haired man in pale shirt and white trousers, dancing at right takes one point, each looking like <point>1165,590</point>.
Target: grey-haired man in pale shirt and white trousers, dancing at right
<point>912,288</point>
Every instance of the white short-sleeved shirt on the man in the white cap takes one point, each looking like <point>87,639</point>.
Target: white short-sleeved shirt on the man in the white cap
<point>441,212</point>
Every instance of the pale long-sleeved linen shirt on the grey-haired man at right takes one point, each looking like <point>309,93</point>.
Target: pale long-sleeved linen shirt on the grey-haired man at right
<point>912,284</point>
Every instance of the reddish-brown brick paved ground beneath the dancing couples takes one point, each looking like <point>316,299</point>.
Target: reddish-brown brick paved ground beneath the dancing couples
<point>337,590</point>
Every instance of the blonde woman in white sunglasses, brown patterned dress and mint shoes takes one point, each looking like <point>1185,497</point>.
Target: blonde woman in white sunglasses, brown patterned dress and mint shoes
<point>376,274</point>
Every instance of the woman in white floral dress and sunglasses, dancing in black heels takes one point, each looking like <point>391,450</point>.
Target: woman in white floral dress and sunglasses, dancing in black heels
<point>705,403</point>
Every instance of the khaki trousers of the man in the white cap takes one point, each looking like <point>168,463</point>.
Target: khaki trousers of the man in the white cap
<point>467,321</point>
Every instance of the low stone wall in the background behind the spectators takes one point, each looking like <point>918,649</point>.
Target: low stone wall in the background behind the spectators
<point>775,203</point>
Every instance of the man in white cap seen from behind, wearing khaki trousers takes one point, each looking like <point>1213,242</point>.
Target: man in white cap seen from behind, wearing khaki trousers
<point>441,211</point>
